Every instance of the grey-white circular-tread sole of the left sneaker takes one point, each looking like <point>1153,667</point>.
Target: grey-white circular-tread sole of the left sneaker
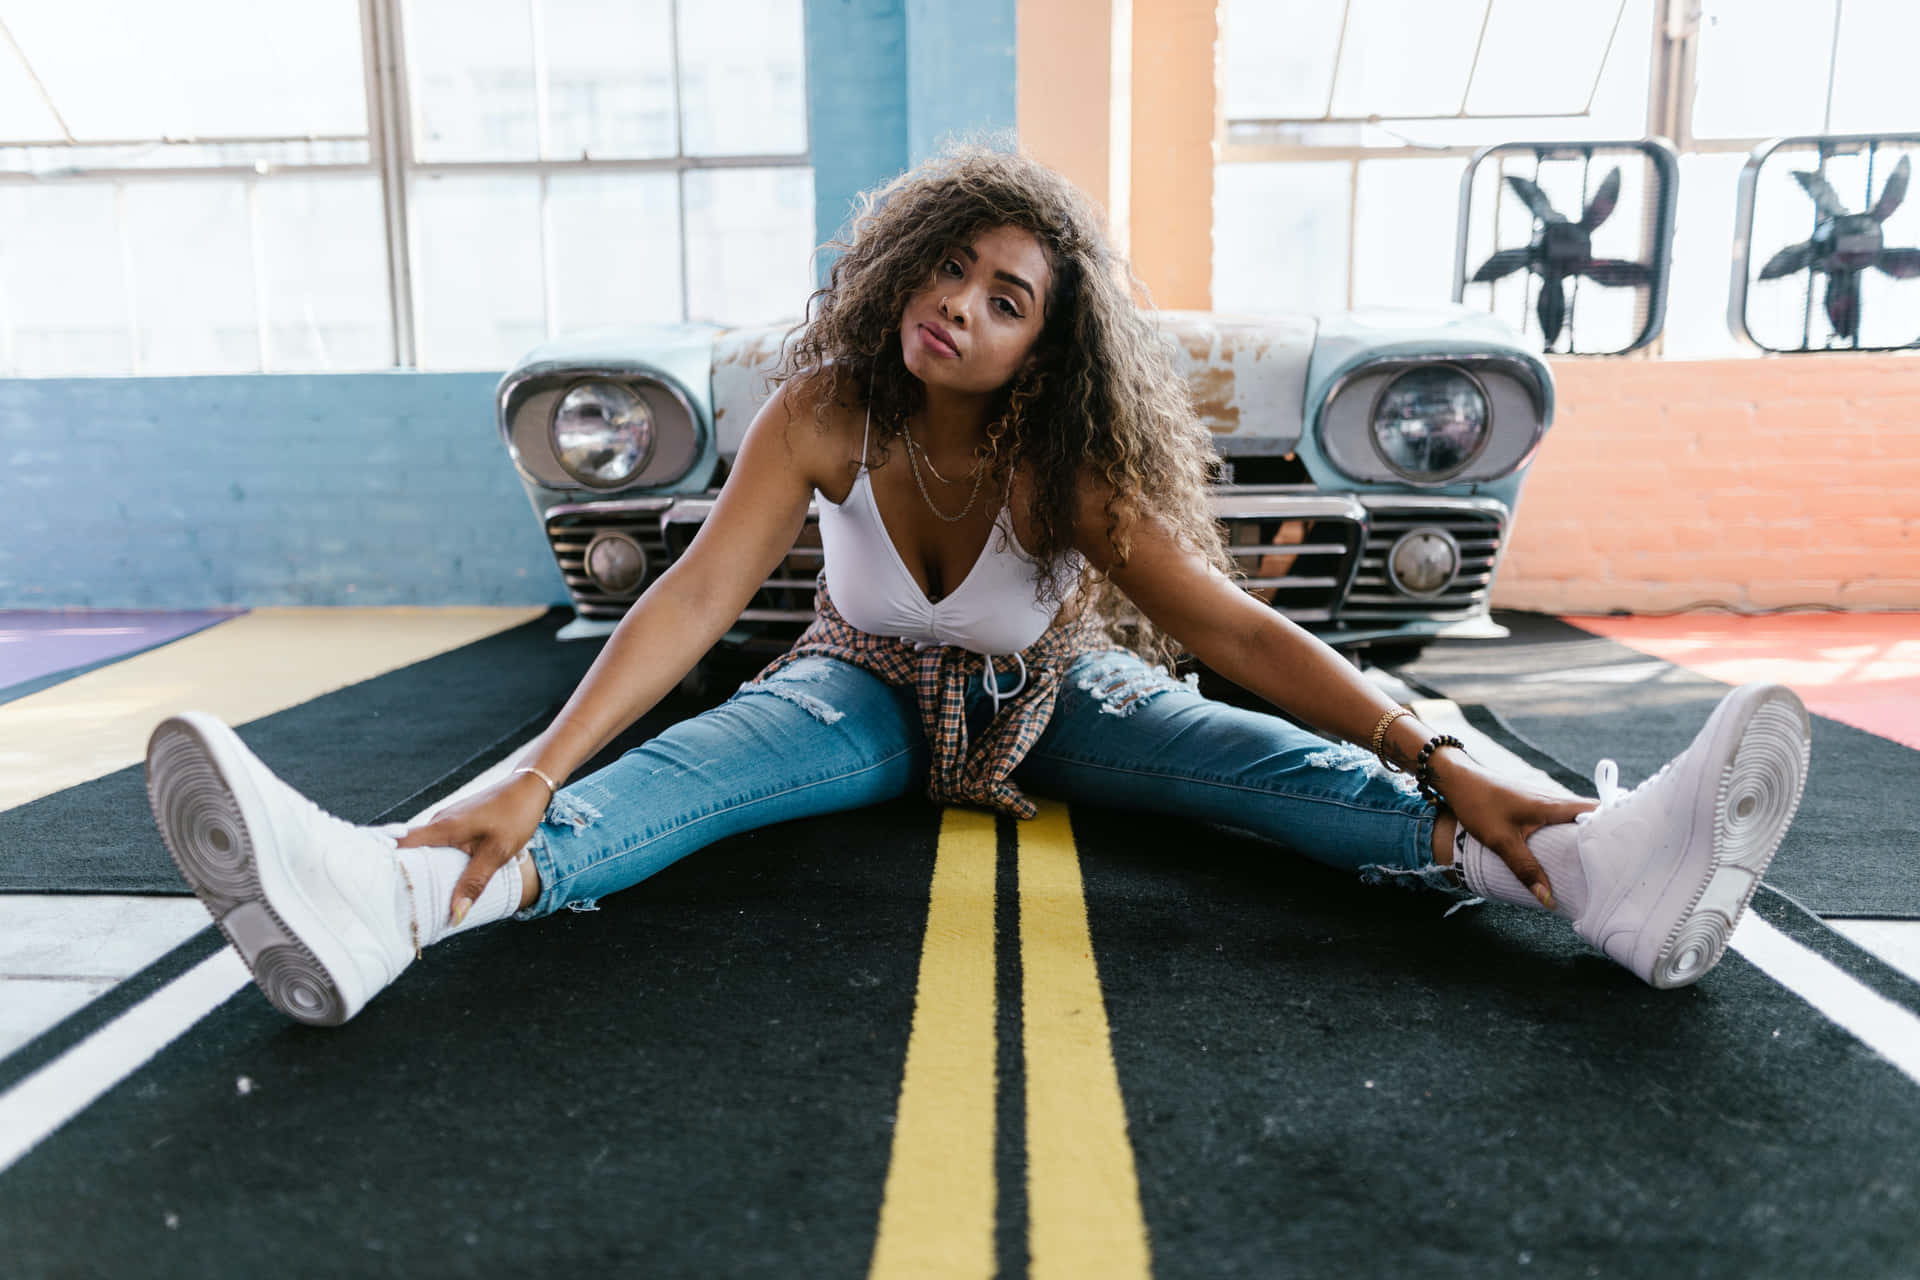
<point>206,836</point>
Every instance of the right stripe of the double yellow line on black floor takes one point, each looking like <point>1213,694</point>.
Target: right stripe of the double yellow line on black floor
<point>1084,1198</point>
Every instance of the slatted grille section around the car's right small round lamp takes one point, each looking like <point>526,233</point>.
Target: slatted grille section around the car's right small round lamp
<point>1479,529</point>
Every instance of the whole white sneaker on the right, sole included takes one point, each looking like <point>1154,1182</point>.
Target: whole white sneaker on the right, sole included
<point>1673,863</point>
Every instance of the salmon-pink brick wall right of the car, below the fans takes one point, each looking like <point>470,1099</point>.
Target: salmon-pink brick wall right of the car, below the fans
<point>1752,485</point>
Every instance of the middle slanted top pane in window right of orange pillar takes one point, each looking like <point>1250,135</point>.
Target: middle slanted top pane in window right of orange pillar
<point>1406,57</point>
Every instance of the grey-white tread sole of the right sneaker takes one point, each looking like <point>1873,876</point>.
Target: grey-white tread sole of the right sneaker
<point>1758,794</point>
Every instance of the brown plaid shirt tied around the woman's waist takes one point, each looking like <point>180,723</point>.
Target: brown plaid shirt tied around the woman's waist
<point>961,772</point>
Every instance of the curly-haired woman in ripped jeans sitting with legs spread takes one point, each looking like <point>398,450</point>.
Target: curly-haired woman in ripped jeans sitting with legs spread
<point>980,331</point>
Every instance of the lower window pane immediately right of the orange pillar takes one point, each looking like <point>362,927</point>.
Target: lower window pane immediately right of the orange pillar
<point>1280,237</point>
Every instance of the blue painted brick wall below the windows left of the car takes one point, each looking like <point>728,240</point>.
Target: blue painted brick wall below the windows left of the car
<point>262,490</point>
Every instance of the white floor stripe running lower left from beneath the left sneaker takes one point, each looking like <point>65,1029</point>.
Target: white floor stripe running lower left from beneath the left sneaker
<point>68,1085</point>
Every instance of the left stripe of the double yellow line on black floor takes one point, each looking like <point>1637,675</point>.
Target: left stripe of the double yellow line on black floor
<point>940,1204</point>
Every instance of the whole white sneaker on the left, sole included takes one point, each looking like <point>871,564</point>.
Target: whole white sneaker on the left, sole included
<point>314,905</point>
